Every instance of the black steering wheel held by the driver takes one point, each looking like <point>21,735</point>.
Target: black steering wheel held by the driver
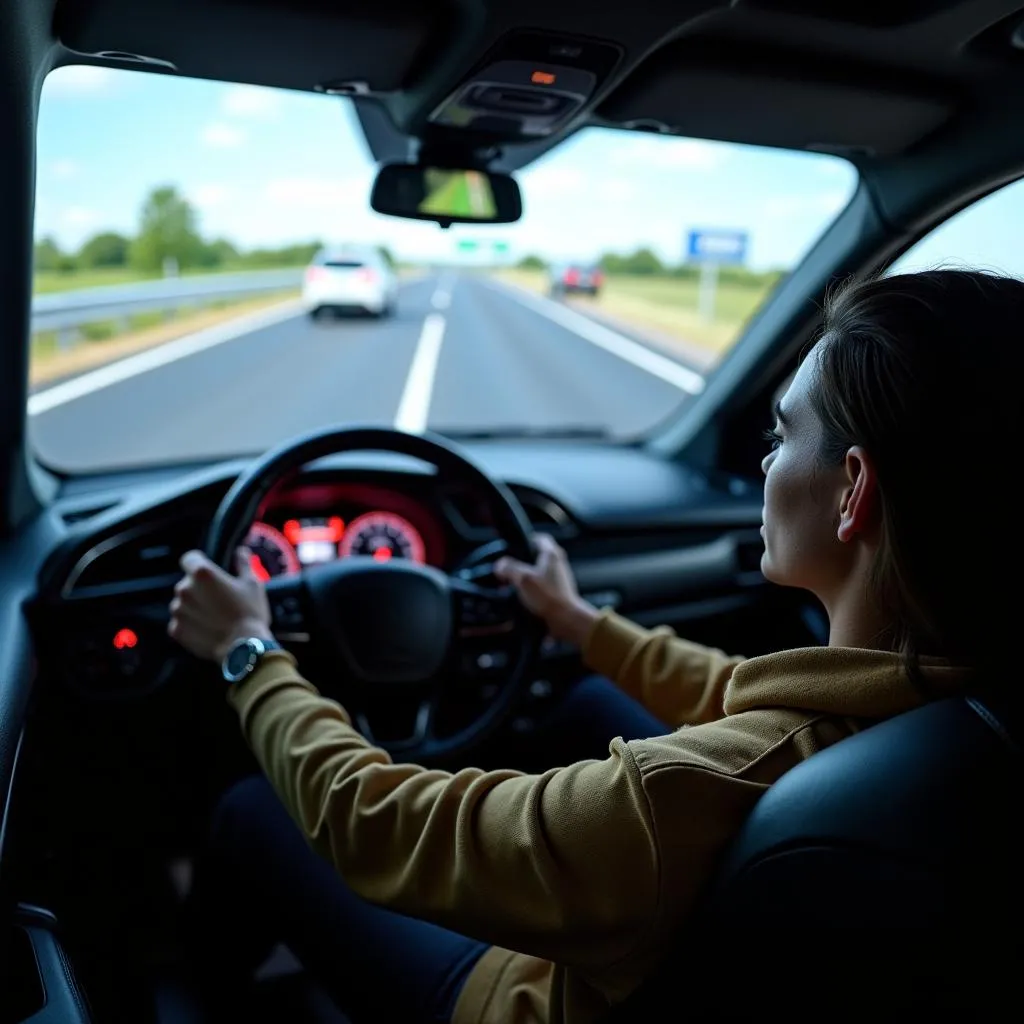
<point>399,634</point>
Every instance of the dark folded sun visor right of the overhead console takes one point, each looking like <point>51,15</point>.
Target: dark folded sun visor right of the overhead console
<point>785,108</point>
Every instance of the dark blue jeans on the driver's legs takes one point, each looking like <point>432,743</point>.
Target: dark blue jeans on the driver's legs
<point>261,884</point>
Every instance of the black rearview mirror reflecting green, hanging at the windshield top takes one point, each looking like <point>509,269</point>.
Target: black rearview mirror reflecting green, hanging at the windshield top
<point>446,195</point>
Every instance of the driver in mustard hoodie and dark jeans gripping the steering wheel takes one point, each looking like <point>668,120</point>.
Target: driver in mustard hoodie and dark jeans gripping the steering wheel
<point>501,897</point>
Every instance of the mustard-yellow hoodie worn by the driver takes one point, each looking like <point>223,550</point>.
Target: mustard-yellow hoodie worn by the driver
<point>581,877</point>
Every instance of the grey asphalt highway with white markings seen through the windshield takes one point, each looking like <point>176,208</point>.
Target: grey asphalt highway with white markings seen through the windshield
<point>462,353</point>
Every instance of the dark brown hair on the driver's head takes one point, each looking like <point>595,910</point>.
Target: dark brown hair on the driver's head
<point>925,371</point>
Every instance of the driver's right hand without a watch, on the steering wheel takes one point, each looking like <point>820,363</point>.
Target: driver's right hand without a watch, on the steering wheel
<point>548,590</point>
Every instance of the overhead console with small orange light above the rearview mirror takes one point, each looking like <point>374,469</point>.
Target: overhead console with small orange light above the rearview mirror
<point>529,87</point>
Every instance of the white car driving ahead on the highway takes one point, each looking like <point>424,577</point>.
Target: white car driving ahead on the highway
<point>349,279</point>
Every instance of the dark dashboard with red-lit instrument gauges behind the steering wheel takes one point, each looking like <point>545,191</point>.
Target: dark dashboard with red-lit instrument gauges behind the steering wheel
<point>657,540</point>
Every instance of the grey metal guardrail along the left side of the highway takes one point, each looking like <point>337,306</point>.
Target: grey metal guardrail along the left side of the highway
<point>66,312</point>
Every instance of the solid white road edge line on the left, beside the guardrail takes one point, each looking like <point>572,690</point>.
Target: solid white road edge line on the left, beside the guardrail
<point>160,356</point>
